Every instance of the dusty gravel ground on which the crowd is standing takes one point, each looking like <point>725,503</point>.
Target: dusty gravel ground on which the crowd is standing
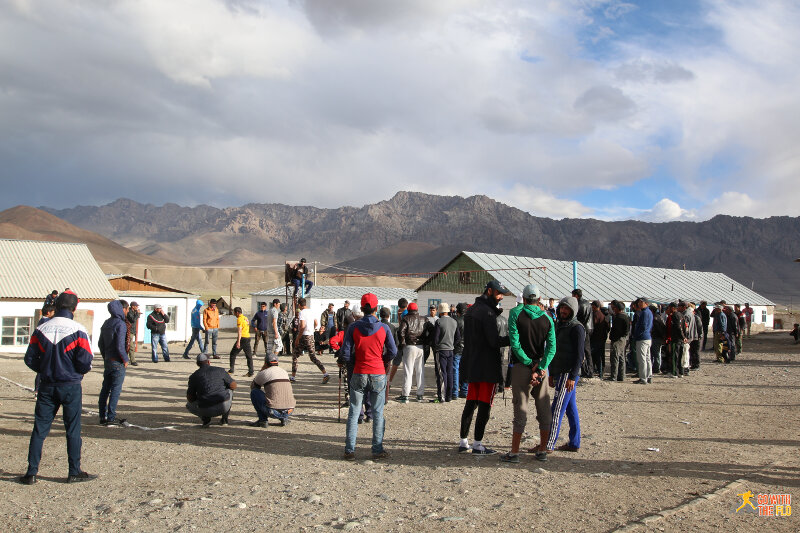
<point>721,424</point>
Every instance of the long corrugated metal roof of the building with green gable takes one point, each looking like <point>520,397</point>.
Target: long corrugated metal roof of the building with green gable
<point>606,282</point>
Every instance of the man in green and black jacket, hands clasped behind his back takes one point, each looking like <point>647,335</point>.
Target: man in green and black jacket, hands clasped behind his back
<point>533,345</point>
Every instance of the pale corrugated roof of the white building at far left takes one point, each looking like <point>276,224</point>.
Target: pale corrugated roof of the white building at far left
<point>32,269</point>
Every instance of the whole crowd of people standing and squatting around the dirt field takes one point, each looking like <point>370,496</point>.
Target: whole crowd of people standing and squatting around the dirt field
<point>477,352</point>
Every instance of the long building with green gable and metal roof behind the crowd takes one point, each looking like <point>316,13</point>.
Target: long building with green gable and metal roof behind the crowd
<point>466,275</point>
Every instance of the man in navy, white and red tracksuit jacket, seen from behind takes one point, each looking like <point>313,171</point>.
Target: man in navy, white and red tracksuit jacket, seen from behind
<point>60,352</point>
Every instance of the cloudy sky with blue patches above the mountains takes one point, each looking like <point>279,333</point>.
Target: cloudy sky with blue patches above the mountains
<point>649,110</point>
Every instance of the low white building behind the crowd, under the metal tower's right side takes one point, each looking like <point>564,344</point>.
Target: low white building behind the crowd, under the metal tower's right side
<point>320,296</point>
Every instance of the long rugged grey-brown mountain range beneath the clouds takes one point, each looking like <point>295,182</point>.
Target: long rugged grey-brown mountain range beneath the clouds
<point>752,251</point>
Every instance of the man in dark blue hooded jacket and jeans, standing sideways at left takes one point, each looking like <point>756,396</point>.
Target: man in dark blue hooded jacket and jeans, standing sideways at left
<point>115,361</point>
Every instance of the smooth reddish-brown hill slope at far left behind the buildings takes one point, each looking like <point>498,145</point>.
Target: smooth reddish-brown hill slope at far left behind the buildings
<point>23,222</point>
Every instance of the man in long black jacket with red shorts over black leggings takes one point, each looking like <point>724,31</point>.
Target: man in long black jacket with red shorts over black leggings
<point>481,363</point>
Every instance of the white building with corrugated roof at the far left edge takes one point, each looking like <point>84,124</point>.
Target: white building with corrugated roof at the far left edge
<point>30,270</point>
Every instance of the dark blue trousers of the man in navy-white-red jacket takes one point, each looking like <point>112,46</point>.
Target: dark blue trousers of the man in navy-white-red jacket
<point>49,399</point>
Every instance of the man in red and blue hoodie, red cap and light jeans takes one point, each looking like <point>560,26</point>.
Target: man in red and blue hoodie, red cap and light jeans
<point>368,346</point>
